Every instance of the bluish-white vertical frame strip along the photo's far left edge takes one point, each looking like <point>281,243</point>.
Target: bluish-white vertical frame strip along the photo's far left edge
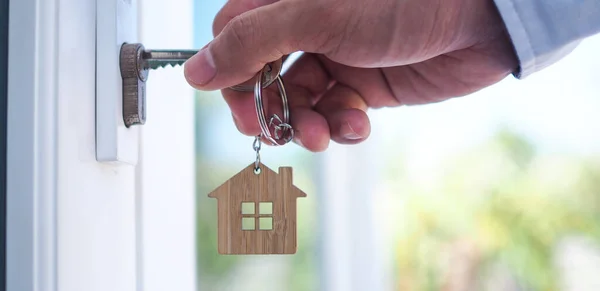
<point>31,146</point>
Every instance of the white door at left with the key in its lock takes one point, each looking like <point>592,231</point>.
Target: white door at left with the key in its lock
<point>74,223</point>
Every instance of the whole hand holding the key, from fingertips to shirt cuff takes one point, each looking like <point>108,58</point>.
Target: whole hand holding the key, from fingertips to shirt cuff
<point>360,54</point>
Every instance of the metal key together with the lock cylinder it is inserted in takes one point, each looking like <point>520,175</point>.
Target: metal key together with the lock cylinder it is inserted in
<point>135,64</point>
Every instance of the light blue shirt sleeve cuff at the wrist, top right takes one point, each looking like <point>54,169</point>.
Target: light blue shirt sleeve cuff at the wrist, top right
<point>545,31</point>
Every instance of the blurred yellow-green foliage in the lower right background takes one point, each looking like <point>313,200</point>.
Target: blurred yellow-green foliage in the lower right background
<point>510,203</point>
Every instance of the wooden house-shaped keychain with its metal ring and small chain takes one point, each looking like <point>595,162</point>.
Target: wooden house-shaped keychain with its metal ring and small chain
<point>257,206</point>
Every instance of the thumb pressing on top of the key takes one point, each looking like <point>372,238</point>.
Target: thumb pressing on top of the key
<point>253,39</point>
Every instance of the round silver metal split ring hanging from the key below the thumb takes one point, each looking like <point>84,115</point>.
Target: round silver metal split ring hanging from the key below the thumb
<point>283,130</point>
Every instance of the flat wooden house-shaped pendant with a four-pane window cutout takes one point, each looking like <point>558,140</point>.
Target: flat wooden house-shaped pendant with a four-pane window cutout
<point>257,212</point>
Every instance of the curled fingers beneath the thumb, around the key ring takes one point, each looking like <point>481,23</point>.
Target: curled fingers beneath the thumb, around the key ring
<point>319,112</point>
